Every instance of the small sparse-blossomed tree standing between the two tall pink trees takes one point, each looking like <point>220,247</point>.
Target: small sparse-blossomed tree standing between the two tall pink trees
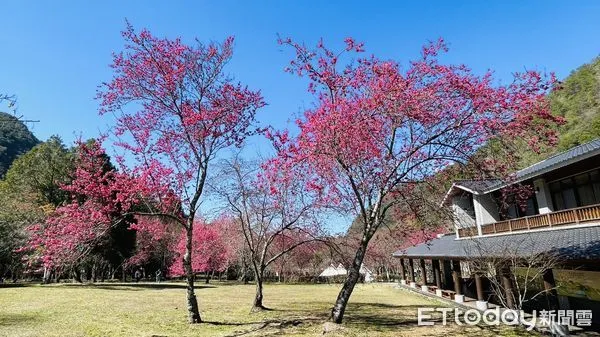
<point>275,211</point>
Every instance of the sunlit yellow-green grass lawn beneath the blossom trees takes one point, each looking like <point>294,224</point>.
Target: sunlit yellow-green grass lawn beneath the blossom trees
<point>145,309</point>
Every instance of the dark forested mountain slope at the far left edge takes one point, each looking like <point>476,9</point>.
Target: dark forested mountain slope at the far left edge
<point>15,139</point>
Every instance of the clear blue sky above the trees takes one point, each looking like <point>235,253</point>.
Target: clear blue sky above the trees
<point>54,54</point>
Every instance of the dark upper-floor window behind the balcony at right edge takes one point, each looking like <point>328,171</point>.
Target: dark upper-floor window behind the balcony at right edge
<point>577,191</point>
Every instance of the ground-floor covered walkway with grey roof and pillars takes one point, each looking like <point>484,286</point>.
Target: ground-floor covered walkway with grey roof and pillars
<point>441,266</point>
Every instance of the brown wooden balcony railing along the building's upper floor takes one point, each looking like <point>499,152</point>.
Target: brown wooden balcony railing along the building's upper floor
<point>568,216</point>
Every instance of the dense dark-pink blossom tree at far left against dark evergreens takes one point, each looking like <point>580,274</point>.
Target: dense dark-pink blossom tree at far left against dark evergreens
<point>97,207</point>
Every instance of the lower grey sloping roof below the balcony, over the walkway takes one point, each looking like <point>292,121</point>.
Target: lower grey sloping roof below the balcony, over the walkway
<point>579,243</point>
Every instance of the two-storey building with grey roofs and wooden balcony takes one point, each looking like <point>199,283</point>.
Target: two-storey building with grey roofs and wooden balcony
<point>561,220</point>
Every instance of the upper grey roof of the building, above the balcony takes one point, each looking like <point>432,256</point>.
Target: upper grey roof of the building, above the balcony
<point>554,162</point>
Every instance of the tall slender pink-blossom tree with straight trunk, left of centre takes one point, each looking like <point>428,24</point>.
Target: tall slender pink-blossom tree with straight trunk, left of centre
<point>175,110</point>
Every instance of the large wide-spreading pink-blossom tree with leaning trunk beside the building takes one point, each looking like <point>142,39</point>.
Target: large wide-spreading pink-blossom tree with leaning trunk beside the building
<point>379,132</point>
